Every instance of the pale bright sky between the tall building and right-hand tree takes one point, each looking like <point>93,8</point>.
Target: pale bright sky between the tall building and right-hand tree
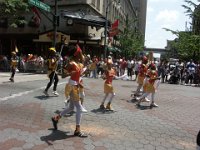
<point>164,14</point>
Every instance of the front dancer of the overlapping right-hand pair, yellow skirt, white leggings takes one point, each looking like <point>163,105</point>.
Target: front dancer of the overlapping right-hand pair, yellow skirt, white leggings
<point>150,85</point>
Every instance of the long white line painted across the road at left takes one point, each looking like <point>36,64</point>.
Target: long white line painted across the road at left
<point>24,93</point>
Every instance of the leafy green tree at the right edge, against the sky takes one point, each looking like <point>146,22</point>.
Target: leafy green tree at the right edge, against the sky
<point>187,44</point>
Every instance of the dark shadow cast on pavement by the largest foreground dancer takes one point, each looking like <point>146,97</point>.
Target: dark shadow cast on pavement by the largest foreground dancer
<point>55,135</point>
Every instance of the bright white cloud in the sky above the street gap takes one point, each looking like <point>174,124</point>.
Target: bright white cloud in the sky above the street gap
<point>168,16</point>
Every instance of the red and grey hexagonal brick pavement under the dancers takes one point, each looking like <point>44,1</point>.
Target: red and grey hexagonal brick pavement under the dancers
<point>25,121</point>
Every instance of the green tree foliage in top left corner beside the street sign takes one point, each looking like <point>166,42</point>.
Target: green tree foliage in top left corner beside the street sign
<point>13,10</point>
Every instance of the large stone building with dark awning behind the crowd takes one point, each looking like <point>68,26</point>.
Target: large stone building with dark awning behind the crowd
<point>78,21</point>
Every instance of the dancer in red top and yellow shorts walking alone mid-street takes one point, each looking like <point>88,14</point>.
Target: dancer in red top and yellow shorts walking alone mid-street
<point>109,74</point>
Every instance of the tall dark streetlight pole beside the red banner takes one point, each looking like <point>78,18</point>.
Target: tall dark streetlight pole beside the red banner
<point>106,25</point>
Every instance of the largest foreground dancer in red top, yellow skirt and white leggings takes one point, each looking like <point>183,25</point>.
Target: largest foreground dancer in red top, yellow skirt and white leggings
<point>72,89</point>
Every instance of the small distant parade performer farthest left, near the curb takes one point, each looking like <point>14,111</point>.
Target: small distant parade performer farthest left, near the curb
<point>13,65</point>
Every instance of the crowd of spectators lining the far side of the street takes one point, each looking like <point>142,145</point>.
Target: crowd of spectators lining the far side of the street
<point>173,72</point>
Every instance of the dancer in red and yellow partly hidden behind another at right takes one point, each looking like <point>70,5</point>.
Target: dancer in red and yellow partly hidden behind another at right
<point>141,75</point>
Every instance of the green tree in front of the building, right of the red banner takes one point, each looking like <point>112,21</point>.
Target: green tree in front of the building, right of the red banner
<point>131,40</point>
